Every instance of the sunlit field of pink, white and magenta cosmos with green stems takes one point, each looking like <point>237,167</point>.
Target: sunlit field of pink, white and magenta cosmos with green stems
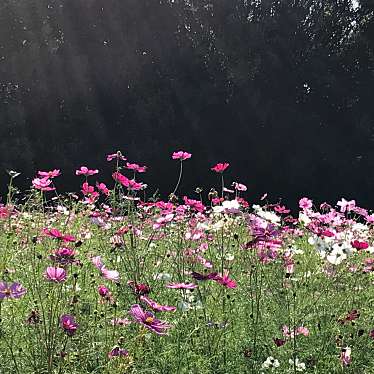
<point>106,281</point>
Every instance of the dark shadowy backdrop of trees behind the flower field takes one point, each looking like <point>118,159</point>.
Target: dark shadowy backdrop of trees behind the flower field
<point>283,90</point>
